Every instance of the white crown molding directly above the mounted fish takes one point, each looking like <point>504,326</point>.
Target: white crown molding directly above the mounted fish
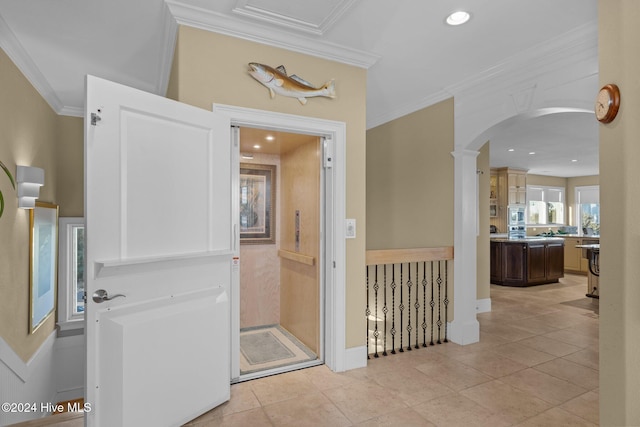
<point>211,21</point>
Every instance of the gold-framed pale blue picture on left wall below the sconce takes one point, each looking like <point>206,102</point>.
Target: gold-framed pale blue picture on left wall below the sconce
<point>43,263</point>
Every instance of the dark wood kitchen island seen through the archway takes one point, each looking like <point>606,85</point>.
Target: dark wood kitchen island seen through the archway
<point>527,261</point>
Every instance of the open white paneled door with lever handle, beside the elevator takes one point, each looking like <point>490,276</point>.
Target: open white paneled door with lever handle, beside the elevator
<point>159,233</point>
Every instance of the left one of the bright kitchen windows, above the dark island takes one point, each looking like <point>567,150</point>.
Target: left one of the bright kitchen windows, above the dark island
<point>545,205</point>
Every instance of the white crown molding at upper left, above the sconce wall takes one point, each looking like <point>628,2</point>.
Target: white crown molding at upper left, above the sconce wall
<point>16,52</point>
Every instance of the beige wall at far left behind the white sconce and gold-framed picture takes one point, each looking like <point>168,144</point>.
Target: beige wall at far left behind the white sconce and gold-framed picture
<point>28,132</point>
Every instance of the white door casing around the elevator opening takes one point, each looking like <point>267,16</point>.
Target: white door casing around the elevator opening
<point>332,265</point>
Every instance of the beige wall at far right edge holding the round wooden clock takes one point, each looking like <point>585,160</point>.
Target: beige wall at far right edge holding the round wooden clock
<point>619,62</point>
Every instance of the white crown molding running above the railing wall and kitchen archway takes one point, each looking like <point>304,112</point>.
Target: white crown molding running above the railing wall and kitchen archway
<point>574,45</point>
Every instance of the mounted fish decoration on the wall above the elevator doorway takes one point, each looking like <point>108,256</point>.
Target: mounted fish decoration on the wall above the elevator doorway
<point>277,81</point>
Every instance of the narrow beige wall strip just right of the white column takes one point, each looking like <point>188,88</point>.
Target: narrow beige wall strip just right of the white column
<point>483,255</point>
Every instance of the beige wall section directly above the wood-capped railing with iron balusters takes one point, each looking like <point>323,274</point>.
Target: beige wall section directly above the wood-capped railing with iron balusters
<point>410,180</point>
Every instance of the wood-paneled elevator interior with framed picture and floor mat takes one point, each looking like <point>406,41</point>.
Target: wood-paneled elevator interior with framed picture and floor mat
<point>281,223</point>
